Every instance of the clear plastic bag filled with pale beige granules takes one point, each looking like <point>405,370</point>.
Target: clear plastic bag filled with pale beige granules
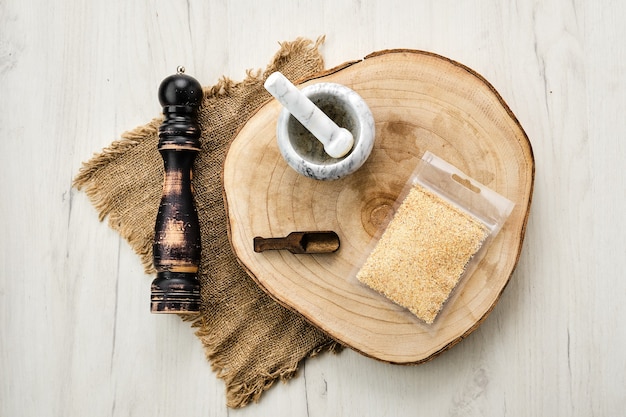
<point>441,227</point>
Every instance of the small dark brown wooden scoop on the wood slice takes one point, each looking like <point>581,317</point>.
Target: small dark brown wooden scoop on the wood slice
<point>300,242</point>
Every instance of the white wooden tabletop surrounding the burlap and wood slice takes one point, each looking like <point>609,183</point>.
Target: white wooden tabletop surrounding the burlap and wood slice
<point>76,335</point>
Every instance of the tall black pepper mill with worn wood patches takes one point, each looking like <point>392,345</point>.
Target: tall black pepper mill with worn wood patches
<point>177,245</point>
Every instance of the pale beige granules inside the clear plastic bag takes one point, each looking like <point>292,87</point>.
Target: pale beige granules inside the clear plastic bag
<point>423,253</point>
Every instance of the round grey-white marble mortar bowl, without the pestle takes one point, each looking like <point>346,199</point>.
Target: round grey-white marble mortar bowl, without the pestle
<point>306,155</point>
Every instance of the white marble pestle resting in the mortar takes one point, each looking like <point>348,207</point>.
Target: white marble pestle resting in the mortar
<point>337,141</point>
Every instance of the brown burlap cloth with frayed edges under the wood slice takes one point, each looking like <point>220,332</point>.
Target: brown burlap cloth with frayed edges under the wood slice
<point>249,339</point>
